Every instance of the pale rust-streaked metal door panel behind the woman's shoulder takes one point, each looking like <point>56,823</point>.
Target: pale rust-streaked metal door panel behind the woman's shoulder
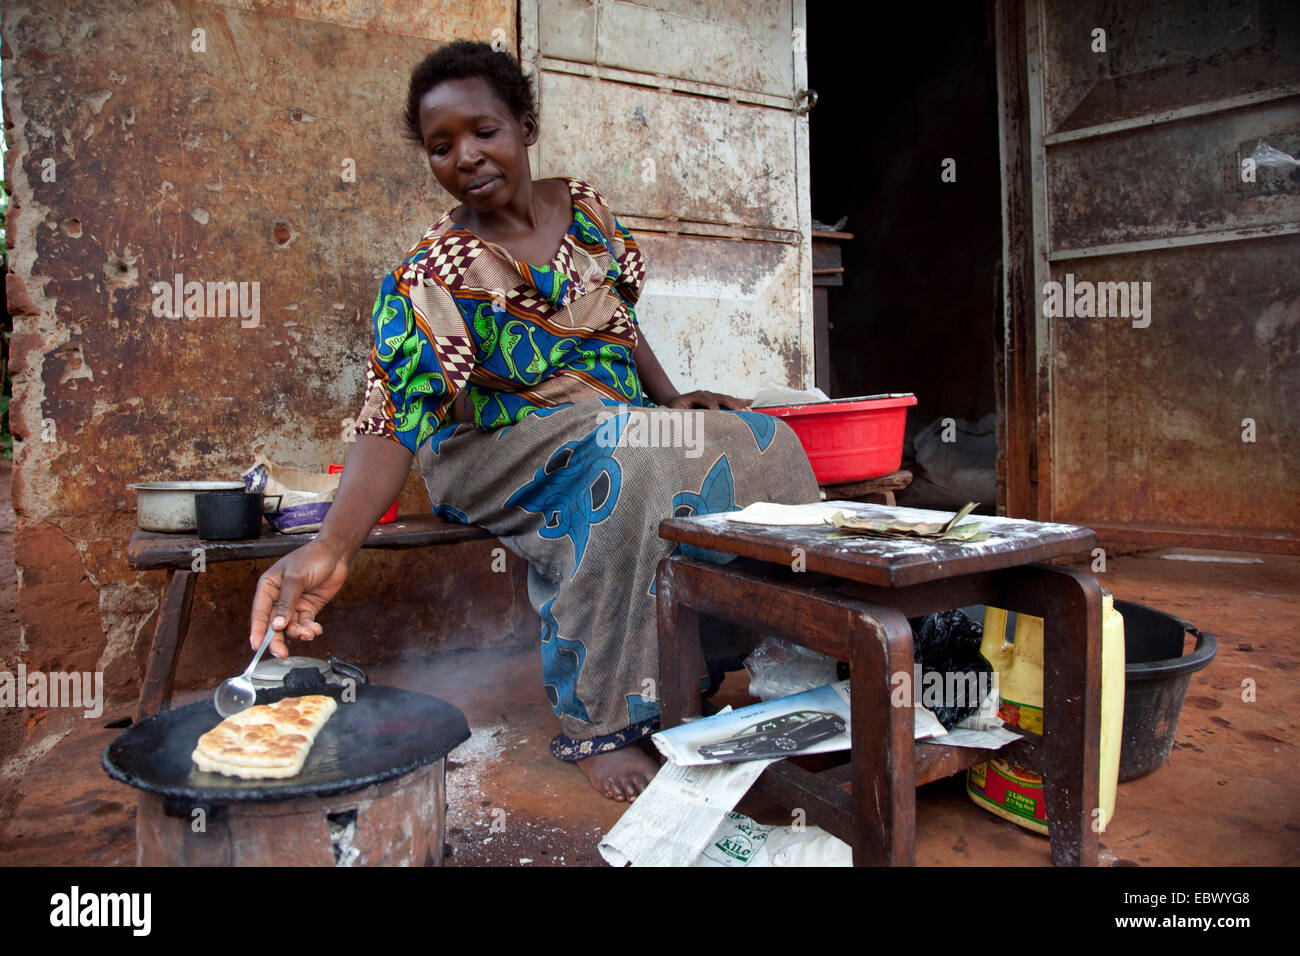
<point>683,115</point>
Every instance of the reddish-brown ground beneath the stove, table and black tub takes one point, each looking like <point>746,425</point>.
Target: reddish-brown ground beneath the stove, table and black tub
<point>1229,794</point>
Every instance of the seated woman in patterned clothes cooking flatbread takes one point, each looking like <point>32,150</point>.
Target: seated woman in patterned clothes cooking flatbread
<point>508,360</point>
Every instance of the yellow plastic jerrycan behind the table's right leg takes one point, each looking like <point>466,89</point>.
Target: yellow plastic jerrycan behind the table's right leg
<point>1009,790</point>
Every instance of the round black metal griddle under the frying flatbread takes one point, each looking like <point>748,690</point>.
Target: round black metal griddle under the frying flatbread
<point>384,734</point>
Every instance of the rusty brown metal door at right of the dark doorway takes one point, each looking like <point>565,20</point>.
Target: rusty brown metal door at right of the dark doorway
<point>1146,150</point>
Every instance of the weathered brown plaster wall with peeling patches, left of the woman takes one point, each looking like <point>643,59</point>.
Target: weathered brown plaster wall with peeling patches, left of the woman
<point>135,155</point>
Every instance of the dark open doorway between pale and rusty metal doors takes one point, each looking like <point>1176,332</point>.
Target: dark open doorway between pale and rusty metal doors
<point>904,144</point>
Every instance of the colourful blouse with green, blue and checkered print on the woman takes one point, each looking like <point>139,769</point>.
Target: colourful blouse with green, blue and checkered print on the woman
<point>462,314</point>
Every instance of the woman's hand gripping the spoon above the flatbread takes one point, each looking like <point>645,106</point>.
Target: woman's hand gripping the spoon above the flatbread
<point>293,591</point>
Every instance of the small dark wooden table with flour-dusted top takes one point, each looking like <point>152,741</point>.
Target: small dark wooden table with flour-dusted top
<point>853,603</point>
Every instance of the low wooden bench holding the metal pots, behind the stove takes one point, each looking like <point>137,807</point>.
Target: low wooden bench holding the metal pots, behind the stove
<point>179,555</point>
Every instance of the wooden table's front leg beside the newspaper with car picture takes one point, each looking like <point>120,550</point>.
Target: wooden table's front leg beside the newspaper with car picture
<point>885,789</point>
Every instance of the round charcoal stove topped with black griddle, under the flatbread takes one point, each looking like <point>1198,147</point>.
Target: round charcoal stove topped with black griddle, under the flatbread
<point>371,794</point>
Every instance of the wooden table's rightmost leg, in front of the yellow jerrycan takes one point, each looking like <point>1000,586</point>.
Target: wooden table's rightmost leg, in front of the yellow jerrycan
<point>1069,603</point>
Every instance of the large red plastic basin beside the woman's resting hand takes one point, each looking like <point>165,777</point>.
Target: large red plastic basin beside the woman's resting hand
<point>850,439</point>
